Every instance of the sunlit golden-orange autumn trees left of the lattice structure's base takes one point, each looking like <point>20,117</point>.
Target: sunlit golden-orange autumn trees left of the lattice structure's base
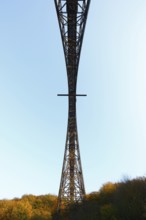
<point>29,207</point>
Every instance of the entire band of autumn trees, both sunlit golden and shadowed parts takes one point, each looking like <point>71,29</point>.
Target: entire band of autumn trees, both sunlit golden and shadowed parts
<point>125,200</point>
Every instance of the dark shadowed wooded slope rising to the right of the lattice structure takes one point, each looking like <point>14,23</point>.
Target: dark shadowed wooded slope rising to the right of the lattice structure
<point>125,200</point>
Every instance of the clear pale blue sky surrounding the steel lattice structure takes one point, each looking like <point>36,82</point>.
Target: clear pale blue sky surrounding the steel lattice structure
<point>33,120</point>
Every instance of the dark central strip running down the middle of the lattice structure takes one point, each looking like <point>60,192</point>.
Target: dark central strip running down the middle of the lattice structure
<point>72,72</point>
